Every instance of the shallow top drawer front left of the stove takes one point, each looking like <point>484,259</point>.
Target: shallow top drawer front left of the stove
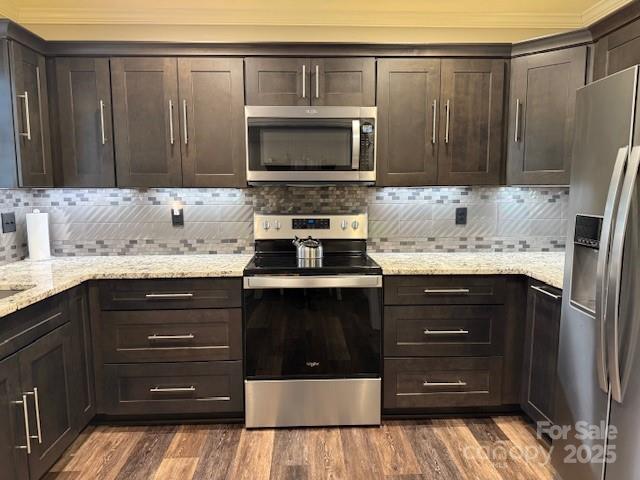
<point>168,294</point>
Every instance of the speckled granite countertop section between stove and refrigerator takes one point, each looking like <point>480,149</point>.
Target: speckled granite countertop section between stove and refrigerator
<point>548,267</point>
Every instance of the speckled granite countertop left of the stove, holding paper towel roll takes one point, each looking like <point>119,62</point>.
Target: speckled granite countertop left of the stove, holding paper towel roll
<point>46,278</point>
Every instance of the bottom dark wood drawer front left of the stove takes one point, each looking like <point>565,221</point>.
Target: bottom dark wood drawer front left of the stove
<point>173,388</point>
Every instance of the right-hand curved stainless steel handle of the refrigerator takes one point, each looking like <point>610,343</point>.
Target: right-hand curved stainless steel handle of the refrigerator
<point>615,275</point>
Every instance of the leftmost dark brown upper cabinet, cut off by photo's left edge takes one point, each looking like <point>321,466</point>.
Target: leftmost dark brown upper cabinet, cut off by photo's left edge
<point>25,145</point>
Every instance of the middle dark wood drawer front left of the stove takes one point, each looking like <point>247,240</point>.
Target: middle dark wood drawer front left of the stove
<point>171,335</point>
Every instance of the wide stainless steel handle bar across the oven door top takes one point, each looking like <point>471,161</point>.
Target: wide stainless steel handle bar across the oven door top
<point>312,281</point>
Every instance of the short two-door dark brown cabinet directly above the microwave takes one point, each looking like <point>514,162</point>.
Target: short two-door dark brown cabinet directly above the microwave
<point>310,81</point>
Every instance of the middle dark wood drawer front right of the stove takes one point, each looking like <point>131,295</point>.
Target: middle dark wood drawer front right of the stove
<point>443,330</point>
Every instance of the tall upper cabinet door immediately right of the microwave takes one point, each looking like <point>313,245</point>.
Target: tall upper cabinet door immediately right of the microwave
<point>408,96</point>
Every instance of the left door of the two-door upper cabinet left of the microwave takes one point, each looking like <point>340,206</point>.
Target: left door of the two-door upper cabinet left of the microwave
<point>146,122</point>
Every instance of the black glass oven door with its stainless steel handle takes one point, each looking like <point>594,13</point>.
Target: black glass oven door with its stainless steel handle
<point>312,327</point>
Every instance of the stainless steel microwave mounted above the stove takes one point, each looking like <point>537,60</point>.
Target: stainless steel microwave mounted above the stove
<point>311,144</point>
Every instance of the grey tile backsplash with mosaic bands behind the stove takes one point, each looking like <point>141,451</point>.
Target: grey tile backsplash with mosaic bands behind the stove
<point>131,221</point>
